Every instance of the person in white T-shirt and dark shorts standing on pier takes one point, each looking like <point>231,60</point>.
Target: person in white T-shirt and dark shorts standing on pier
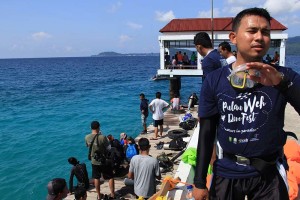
<point>157,108</point>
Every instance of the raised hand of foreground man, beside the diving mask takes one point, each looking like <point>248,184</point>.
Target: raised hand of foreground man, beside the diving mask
<point>269,76</point>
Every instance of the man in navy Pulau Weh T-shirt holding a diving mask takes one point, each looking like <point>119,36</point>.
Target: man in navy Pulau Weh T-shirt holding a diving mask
<point>244,102</point>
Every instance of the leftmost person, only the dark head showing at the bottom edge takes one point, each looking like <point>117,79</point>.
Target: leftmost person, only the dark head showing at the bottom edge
<point>57,189</point>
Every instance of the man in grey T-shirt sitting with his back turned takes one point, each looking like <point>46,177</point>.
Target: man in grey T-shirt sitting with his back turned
<point>143,170</point>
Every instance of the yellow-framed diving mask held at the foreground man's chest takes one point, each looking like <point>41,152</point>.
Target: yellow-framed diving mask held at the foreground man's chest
<point>239,77</point>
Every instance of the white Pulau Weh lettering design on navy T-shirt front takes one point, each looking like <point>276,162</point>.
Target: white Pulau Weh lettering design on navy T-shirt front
<point>245,113</point>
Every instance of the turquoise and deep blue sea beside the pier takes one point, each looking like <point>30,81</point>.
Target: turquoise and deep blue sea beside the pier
<point>47,106</point>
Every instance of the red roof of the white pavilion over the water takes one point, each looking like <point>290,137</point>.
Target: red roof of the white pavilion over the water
<point>204,24</point>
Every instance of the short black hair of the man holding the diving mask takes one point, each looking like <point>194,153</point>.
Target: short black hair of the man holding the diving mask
<point>250,11</point>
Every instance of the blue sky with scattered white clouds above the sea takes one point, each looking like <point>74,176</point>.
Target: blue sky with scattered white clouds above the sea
<point>70,28</point>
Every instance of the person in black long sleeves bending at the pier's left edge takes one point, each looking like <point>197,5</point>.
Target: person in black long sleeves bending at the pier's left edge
<point>80,172</point>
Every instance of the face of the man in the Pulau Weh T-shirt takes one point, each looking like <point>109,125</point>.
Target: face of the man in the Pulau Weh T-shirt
<point>252,38</point>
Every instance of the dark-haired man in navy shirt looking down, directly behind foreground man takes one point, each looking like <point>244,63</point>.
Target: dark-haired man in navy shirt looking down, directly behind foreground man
<point>212,59</point>
